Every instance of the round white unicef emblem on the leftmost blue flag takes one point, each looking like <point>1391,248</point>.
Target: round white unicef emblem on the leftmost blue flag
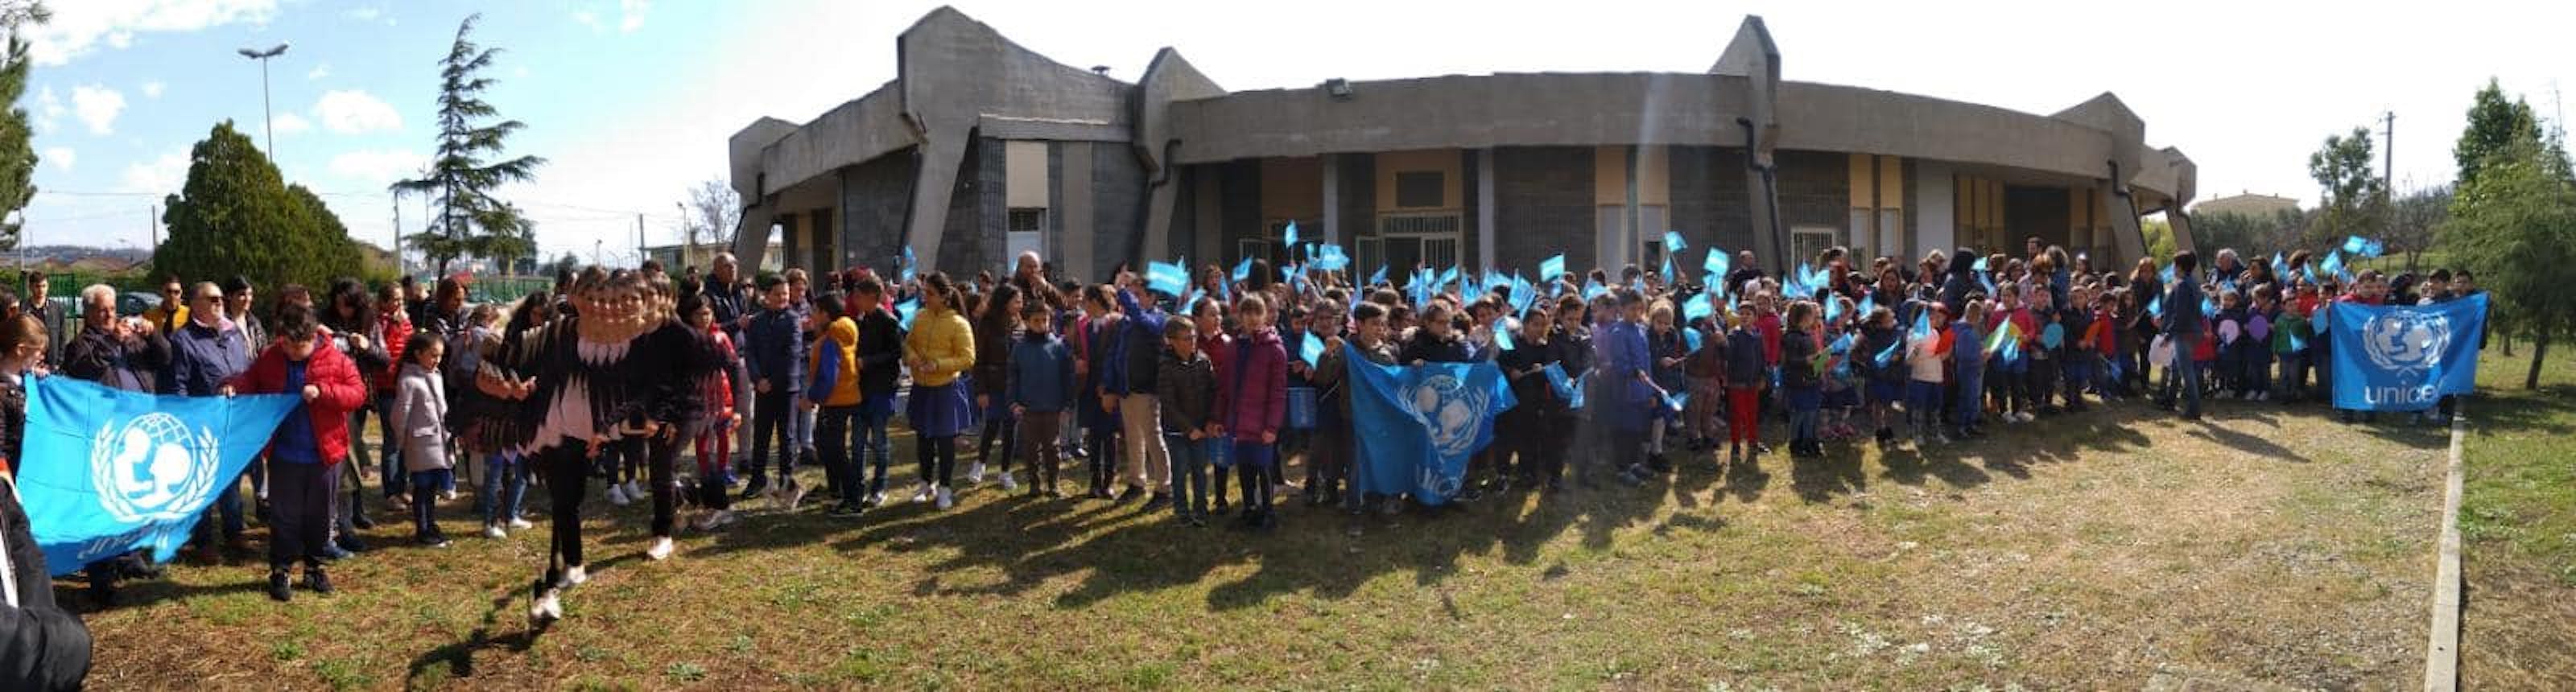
<point>153,469</point>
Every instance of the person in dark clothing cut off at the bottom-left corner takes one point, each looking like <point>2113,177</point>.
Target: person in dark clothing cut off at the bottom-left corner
<point>43,644</point>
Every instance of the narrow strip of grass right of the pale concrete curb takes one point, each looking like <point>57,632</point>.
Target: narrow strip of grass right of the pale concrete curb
<point>2518,518</point>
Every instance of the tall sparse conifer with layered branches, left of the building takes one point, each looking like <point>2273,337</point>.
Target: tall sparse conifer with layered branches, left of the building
<point>465,174</point>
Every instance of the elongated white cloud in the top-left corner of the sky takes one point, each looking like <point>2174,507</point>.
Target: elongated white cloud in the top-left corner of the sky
<point>84,27</point>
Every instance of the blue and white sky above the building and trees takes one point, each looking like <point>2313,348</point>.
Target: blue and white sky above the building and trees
<point>632,99</point>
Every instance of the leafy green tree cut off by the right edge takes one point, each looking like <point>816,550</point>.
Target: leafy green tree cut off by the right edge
<point>2515,223</point>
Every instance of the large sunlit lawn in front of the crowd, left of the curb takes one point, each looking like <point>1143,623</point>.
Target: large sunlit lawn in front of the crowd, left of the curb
<point>2108,549</point>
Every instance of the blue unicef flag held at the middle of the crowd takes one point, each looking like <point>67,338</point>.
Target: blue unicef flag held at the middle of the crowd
<point>1421,423</point>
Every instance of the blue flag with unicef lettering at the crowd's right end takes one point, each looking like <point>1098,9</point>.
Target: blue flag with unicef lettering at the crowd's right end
<point>2405,359</point>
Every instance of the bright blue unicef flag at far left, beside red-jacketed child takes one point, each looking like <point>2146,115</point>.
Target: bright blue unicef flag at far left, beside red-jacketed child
<point>112,472</point>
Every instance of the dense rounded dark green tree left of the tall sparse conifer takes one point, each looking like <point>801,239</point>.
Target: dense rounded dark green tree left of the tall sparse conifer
<point>236,217</point>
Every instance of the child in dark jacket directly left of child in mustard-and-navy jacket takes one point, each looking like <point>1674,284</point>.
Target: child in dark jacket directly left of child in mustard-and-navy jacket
<point>774,356</point>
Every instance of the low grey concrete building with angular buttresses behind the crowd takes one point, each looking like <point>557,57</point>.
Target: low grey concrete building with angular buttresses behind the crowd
<point>983,148</point>
